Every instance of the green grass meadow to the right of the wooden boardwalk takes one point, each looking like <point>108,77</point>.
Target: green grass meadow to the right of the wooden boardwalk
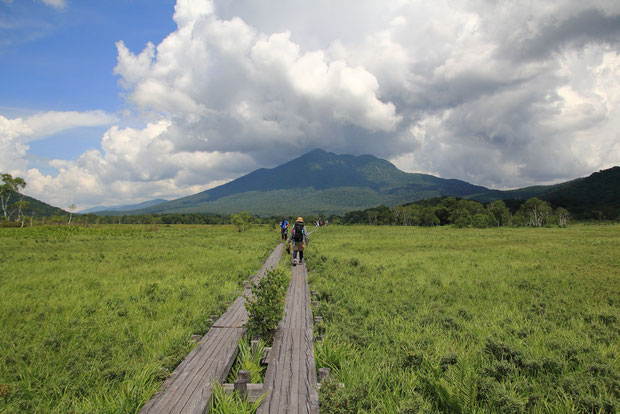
<point>464,320</point>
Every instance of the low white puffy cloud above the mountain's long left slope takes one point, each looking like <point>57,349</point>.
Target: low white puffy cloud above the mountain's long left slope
<point>134,164</point>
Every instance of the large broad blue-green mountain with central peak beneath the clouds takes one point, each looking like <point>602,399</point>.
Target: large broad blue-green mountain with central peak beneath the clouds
<point>318,181</point>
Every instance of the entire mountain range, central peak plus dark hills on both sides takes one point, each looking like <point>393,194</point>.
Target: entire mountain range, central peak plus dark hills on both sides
<point>326,183</point>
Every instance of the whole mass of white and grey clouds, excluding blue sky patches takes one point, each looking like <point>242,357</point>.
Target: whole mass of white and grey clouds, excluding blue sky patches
<point>501,94</point>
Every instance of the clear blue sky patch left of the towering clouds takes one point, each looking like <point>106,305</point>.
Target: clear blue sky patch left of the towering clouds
<point>62,59</point>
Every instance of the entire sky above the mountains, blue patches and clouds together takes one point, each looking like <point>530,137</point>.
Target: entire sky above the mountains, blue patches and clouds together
<point>117,102</point>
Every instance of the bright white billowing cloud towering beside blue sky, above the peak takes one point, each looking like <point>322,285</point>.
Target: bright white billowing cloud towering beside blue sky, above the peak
<point>263,72</point>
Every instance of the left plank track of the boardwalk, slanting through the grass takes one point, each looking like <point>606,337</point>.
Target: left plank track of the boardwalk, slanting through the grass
<point>189,387</point>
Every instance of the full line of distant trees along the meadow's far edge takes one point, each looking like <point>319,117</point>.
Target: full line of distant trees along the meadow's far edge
<point>438,211</point>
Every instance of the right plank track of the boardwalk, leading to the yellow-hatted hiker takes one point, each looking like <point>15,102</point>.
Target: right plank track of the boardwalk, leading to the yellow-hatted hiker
<point>290,380</point>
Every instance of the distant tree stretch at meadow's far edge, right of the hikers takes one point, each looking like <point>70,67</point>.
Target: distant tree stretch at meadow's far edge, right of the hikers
<point>461,213</point>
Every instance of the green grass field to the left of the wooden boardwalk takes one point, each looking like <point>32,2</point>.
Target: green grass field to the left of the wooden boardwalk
<point>94,319</point>
